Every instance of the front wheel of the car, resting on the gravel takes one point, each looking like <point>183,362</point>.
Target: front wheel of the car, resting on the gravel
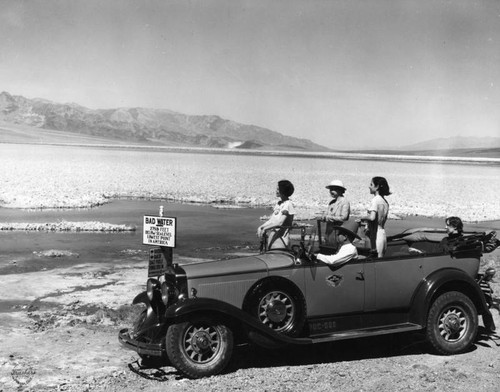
<point>200,347</point>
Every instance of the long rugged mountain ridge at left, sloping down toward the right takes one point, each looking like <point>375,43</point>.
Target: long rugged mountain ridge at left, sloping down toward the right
<point>22,117</point>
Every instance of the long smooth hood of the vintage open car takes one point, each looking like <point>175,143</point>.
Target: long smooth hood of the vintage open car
<point>251,264</point>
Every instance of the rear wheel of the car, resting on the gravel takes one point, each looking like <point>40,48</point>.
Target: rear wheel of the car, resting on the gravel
<point>452,323</point>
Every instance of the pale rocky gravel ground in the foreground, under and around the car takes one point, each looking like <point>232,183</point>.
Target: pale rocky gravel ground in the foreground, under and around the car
<point>66,338</point>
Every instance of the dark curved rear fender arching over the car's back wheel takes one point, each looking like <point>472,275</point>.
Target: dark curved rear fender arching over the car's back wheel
<point>449,279</point>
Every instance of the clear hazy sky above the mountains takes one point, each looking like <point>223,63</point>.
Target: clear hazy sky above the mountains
<point>344,74</point>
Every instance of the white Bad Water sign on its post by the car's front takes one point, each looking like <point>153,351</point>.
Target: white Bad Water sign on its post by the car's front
<point>159,231</point>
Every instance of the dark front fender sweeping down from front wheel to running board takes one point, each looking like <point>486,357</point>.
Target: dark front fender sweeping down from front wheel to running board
<point>190,307</point>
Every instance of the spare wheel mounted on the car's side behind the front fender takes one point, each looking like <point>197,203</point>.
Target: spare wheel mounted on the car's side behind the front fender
<point>279,307</point>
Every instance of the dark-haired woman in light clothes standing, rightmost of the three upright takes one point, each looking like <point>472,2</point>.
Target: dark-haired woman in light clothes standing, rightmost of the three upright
<point>377,215</point>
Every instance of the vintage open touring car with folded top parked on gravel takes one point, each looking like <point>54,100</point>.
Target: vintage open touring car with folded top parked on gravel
<point>195,313</point>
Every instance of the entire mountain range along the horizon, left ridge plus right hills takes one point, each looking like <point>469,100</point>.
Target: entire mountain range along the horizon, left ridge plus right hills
<point>24,120</point>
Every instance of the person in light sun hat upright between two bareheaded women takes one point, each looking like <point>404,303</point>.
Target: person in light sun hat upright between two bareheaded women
<point>338,209</point>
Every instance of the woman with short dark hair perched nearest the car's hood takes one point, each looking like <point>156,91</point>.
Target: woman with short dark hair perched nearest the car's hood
<point>283,212</point>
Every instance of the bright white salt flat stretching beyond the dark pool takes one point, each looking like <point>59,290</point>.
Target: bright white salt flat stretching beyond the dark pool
<point>38,176</point>
